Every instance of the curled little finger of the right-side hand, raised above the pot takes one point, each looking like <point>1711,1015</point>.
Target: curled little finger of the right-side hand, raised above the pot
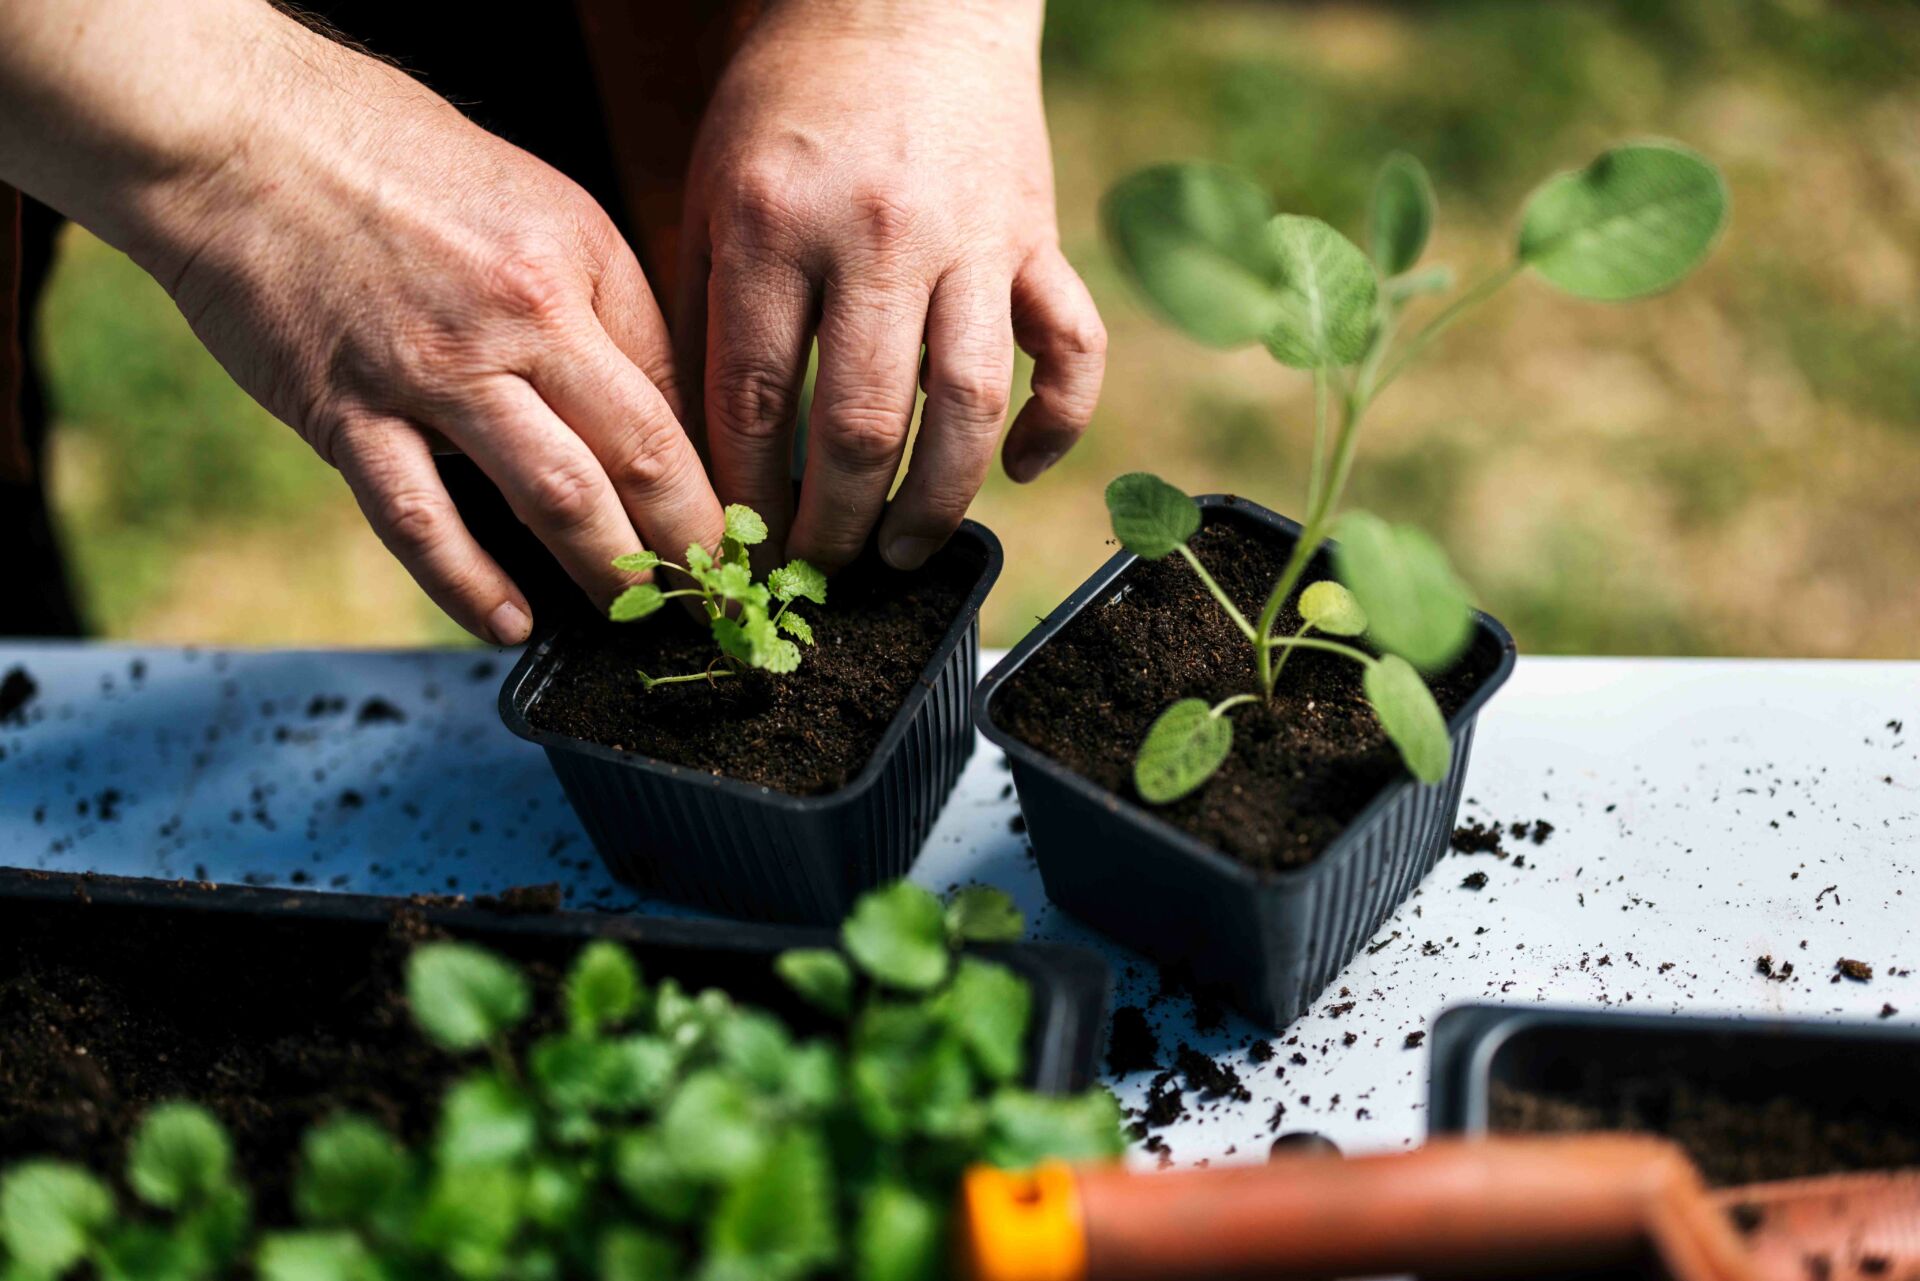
<point>1061,329</point>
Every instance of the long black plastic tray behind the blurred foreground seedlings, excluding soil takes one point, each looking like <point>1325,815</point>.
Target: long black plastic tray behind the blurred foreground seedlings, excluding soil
<point>335,934</point>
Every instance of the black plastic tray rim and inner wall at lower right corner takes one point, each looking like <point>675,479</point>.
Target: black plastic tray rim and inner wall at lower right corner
<point>1865,1071</point>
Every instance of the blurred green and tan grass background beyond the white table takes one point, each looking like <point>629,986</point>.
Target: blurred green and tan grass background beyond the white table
<point>1727,470</point>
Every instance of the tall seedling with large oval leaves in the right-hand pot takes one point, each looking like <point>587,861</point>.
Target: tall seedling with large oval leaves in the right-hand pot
<point>1214,258</point>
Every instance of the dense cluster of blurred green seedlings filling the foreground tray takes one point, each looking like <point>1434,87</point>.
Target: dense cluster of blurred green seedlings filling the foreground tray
<point>656,1136</point>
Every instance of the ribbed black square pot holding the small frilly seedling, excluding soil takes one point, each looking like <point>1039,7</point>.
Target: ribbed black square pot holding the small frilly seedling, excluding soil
<point>746,850</point>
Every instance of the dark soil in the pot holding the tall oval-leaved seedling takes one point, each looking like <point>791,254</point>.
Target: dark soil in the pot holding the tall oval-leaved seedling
<point>1301,769</point>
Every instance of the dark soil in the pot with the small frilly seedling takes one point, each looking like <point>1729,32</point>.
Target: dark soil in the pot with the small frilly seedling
<point>807,733</point>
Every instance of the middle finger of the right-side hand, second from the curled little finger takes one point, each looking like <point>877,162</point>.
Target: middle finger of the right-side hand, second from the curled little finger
<point>863,404</point>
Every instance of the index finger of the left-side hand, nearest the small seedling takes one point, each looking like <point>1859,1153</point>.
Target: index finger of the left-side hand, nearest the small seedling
<point>644,454</point>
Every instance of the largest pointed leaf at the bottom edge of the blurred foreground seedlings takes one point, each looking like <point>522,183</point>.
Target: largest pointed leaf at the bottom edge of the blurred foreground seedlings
<point>780,1215</point>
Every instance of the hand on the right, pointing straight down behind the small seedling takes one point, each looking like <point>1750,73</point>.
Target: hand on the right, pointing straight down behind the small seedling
<point>878,172</point>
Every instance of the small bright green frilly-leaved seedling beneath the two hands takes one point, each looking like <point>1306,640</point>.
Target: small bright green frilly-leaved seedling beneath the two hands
<point>746,623</point>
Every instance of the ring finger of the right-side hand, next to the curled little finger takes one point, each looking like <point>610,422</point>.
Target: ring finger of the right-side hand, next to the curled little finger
<point>969,379</point>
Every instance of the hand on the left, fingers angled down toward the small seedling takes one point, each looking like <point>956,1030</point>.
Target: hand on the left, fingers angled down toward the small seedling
<point>379,274</point>
